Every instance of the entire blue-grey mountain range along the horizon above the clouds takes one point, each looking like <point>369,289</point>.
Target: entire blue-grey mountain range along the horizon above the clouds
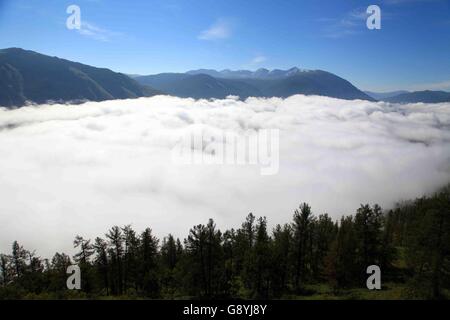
<point>28,76</point>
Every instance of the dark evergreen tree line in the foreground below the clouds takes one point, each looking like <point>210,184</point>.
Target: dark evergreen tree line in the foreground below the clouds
<point>410,244</point>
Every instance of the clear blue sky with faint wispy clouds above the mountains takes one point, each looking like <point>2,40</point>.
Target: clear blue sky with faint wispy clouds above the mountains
<point>411,51</point>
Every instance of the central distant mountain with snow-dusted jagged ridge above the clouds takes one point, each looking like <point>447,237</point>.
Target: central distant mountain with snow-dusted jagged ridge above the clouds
<point>206,83</point>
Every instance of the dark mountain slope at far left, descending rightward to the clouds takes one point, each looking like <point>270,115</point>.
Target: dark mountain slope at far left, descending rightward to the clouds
<point>30,76</point>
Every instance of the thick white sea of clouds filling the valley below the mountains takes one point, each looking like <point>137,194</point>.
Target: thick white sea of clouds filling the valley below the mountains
<point>80,169</point>
